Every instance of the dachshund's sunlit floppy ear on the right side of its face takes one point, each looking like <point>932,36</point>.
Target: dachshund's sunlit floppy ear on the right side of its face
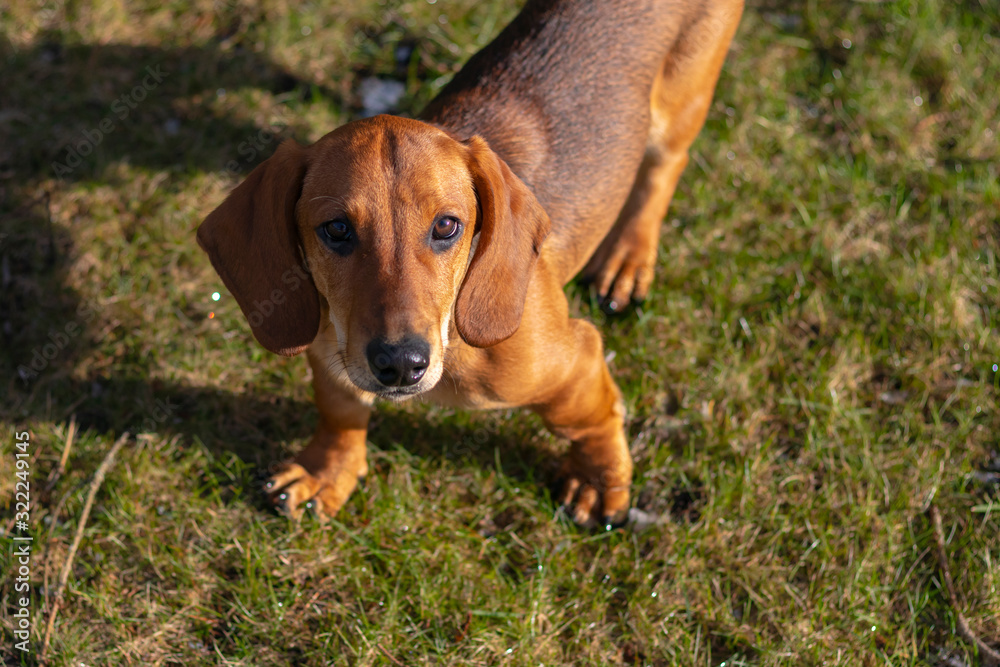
<point>512,225</point>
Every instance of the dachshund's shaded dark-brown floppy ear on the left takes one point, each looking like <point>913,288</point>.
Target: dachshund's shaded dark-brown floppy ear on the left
<point>254,246</point>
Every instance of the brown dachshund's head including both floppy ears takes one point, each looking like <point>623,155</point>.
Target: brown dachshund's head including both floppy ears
<point>372,227</point>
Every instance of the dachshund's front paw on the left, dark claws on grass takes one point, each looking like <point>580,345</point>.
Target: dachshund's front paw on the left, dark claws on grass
<point>294,490</point>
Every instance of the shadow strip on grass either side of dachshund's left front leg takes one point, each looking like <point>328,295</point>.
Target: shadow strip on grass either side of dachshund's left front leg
<point>264,430</point>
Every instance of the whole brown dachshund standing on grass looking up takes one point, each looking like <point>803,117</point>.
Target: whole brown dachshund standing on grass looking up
<point>437,249</point>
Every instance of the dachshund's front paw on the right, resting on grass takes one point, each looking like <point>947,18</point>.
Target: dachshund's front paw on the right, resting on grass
<point>595,496</point>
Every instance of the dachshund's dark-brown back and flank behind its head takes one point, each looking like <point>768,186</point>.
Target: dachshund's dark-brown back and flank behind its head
<point>563,95</point>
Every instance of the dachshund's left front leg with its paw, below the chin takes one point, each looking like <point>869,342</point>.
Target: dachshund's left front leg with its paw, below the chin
<point>325,473</point>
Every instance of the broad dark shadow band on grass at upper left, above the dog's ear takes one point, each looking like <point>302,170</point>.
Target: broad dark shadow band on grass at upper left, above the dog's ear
<point>71,110</point>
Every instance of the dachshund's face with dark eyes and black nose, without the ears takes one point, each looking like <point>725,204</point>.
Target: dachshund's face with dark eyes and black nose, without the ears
<point>386,220</point>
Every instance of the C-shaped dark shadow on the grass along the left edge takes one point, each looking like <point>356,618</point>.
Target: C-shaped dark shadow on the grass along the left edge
<point>70,112</point>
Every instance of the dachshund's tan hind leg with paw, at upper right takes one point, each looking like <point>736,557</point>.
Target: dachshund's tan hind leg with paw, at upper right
<point>622,266</point>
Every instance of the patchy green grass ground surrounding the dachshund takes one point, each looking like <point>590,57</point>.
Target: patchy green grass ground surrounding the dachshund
<point>815,366</point>
